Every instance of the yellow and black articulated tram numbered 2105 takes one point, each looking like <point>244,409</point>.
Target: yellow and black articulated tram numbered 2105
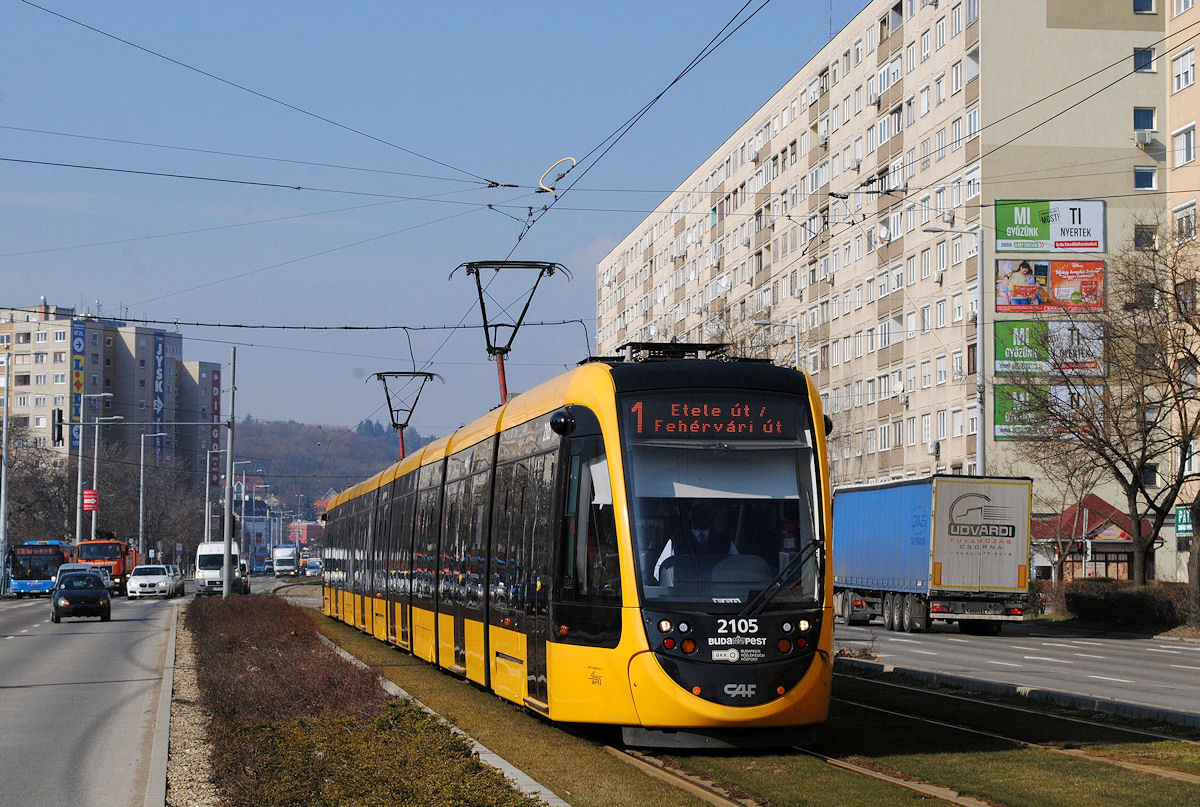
<point>641,545</point>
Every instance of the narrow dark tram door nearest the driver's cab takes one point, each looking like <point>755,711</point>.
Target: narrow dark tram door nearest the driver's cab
<point>541,575</point>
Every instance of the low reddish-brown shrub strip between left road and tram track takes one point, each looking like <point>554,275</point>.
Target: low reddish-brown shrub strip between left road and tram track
<point>293,724</point>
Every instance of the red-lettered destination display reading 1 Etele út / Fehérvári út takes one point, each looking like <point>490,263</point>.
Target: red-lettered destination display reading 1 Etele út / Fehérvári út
<point>689,416</point>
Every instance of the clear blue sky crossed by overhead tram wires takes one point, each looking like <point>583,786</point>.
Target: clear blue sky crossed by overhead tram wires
<point>388,117</point>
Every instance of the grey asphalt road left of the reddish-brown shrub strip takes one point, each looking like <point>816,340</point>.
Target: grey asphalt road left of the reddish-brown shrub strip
<point>79,702</point>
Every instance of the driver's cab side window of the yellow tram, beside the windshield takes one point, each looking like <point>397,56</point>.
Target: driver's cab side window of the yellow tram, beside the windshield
<point>590,567</point>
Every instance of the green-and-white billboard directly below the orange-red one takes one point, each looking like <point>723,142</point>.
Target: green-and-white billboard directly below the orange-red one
<point>1041,348</point>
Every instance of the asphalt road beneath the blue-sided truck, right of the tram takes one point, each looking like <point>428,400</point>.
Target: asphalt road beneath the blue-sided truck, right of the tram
<point>1125,668</point>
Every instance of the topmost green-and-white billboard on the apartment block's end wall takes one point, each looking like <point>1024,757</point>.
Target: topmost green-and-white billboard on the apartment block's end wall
<point>1051,226</point>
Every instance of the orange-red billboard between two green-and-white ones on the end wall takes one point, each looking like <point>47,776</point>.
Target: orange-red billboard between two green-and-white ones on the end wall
<point>1028,286</point>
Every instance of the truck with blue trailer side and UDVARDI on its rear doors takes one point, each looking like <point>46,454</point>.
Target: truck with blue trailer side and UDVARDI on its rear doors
<point>935,548</point>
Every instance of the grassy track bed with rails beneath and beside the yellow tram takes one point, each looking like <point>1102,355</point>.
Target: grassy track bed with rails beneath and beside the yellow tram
<point>988,769</point>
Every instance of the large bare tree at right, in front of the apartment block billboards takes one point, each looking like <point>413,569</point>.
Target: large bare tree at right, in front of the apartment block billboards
<point>1115,388</point>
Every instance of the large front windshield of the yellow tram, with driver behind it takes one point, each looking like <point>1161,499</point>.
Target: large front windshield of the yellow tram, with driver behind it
<point>718,523</point>
